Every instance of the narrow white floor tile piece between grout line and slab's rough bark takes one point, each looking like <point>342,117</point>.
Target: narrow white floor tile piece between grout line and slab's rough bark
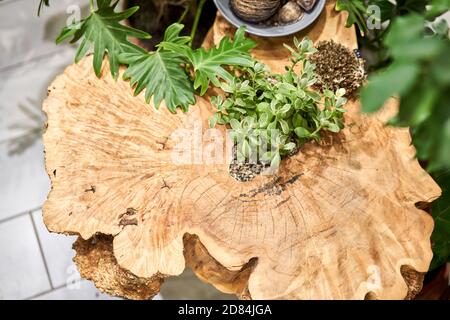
<point>58,253</point>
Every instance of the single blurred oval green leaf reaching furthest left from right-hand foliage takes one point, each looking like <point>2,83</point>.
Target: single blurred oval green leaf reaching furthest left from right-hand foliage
<point>396,79</point>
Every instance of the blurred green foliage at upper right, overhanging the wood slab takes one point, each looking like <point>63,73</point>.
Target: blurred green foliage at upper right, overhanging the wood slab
<point>420,75</point>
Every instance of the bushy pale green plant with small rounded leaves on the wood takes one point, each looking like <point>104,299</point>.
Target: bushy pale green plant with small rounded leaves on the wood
<point>272,114</point>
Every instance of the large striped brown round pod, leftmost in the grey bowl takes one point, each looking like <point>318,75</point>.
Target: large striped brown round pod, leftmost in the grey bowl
<point>254,10</point>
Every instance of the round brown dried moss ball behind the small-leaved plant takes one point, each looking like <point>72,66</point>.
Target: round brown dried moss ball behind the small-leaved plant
<point>338,67</point>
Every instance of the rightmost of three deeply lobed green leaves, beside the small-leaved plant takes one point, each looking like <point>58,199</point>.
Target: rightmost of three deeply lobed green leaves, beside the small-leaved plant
<point>208,64</point>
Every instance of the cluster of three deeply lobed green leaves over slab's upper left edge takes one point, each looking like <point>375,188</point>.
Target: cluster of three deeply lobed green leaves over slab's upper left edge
<point>172,72</point>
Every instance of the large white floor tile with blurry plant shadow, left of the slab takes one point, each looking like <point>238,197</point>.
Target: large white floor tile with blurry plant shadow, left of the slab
<point>25,183</point>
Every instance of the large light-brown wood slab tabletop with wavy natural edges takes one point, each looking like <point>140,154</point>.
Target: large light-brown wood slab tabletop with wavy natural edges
<point>338,221</point>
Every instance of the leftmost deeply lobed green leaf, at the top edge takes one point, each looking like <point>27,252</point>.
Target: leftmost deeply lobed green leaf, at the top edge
<point>103,32</point>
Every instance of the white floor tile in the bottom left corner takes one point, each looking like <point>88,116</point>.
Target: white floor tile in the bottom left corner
<point>22,269</point>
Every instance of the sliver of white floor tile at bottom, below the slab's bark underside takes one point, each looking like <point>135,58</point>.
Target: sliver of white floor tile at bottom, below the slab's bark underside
<point>80,290</point>
